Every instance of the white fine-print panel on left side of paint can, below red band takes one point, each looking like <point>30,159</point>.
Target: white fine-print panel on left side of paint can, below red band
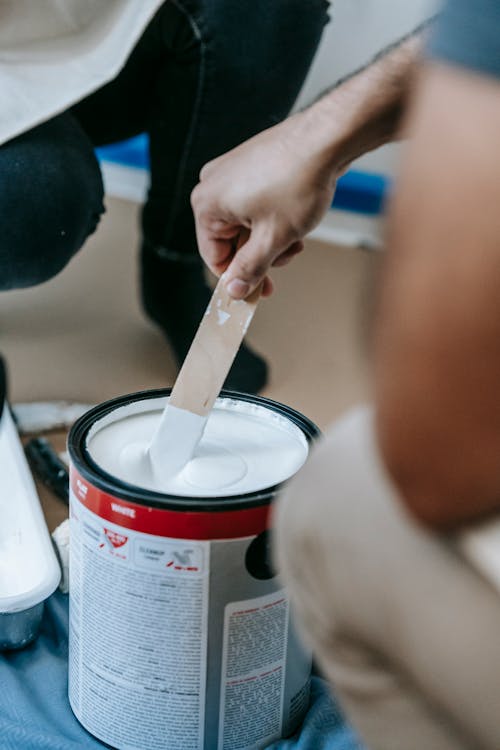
<point>147,665</point>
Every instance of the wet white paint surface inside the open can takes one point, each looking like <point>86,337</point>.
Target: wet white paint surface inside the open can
<point>245,447</point>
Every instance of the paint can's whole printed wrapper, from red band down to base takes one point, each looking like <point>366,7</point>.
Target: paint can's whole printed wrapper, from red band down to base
<point>163,655</point>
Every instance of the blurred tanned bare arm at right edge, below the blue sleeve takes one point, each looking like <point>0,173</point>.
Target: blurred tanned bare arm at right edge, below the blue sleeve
<point>438,331</point>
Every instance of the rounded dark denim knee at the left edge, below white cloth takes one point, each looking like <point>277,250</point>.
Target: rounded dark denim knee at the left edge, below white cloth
<point>51,199</point>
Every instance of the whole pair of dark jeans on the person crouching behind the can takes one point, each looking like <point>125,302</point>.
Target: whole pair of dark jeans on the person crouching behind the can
<point>205,75</point>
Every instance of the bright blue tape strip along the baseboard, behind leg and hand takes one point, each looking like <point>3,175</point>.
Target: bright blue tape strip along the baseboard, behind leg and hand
<point>360,192</point>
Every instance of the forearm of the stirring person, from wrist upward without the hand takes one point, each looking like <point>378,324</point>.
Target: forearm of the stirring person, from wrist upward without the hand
<point>364,111</point>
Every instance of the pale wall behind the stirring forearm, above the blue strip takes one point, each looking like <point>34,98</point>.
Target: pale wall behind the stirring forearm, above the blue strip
<point>358,30</point>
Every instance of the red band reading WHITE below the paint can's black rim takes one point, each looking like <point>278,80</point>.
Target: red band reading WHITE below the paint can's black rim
<point>230,524</point>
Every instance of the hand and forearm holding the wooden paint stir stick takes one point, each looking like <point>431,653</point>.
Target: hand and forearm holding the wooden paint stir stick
<point>280,183</point>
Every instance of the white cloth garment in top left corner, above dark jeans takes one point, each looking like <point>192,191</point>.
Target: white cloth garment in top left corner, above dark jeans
<point>55,52</point>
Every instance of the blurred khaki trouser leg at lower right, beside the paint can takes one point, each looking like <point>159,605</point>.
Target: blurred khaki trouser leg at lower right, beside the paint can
<point>406,632</point>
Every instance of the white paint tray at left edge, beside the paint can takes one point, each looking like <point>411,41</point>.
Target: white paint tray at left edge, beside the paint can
<point>29,570</point>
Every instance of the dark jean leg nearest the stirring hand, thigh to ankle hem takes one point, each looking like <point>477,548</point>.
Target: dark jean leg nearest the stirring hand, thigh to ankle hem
<point>238,69</point>
